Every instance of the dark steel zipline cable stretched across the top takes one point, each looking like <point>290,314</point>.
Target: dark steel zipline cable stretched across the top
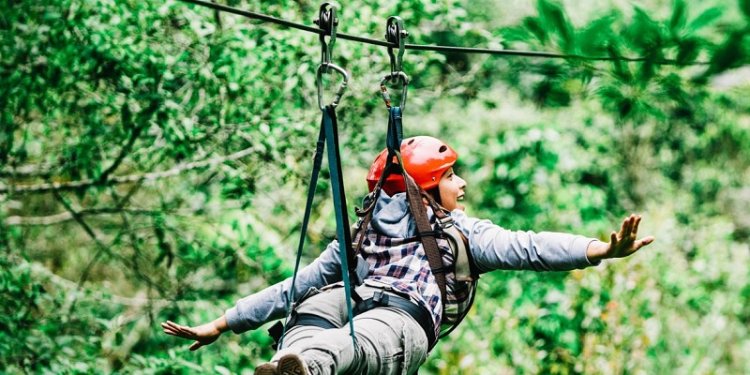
<point>422,47</point>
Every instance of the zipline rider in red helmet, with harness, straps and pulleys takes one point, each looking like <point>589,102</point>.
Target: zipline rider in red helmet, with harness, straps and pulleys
<point>378,299</point>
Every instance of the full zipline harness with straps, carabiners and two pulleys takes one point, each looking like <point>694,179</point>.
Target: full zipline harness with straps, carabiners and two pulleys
<point>348,252</point>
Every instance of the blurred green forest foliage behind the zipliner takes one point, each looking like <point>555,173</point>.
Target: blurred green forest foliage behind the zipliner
<point>154,157</point>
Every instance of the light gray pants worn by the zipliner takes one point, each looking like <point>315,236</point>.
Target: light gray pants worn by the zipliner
<point>389,341</point>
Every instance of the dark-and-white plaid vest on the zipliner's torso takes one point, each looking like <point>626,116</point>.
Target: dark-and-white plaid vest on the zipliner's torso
<point>402,264</point>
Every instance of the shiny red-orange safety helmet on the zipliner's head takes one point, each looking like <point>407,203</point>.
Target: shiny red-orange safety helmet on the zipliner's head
<point>425,159</point>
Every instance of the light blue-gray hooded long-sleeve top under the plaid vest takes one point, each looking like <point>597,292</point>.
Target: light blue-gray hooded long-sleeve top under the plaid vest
<point>491,246</point>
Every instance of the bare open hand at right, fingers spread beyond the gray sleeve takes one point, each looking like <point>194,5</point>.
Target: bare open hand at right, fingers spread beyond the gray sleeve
<point>621,244</point>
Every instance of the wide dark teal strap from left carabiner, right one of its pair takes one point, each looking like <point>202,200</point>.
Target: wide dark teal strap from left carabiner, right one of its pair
<point>339,201</point>
